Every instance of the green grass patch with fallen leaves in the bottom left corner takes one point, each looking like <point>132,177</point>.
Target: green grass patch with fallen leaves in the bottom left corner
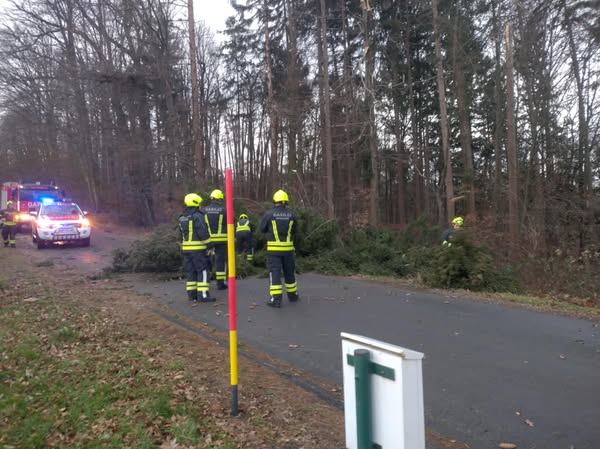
<point>69,378</point>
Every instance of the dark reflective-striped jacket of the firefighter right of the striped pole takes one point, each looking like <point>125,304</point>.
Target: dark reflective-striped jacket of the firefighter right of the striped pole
<point>280,225</point>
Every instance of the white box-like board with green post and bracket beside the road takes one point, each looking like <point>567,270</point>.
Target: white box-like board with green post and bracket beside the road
<point>383,395</point>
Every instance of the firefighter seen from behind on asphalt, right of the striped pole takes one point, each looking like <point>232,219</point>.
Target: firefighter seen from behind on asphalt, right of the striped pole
<point>280,225</point>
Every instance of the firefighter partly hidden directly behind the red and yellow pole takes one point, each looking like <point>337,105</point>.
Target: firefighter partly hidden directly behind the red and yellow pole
<point>216,218</point>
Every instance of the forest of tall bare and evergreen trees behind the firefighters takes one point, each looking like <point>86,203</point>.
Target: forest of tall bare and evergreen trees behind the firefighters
<point>382,118</point>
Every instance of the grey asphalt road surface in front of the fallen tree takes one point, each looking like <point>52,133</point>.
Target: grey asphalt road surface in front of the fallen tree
<point>492,373</point>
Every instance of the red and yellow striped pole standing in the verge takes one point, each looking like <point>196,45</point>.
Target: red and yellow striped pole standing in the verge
<point>231,282</point>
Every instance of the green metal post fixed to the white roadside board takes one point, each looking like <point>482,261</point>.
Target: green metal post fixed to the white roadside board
<point>362,385</point>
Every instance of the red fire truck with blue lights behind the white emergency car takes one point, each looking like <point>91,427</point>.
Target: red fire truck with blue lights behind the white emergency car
<point>28,197</point>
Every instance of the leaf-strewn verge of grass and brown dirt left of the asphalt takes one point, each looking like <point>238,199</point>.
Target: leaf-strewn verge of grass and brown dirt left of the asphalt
<point>85,364</point>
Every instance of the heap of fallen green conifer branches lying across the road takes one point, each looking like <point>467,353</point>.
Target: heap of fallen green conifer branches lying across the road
<point>415,252</point>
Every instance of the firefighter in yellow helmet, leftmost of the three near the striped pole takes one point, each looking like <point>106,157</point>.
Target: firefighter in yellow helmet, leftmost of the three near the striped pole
<point>194,242</point>
